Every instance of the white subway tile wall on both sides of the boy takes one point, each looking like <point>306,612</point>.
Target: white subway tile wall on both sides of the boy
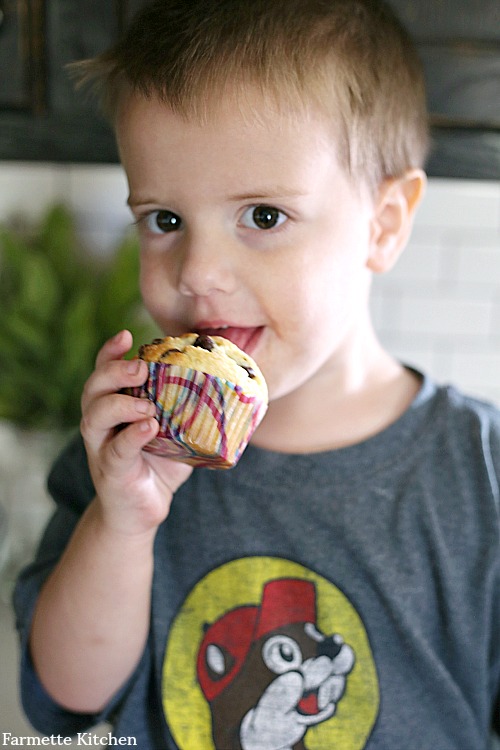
<point>438,309</point>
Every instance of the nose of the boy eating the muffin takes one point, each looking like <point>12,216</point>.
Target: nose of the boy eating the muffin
<point>205,268</point>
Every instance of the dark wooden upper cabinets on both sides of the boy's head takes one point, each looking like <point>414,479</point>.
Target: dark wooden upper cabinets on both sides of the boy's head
<point>43,118</point>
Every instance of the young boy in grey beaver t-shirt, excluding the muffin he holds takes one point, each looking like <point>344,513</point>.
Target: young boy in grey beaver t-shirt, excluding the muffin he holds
<point>339,587</point>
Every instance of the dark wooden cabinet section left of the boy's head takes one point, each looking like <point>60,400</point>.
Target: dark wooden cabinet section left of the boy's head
<point>42,117</point>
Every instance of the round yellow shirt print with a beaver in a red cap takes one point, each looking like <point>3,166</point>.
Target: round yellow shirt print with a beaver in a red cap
<point>267,655</point>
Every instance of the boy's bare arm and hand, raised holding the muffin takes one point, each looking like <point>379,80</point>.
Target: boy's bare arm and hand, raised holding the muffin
<point>91,620</point>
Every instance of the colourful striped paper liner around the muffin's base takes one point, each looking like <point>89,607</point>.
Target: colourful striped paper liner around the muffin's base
<point>204,420</point>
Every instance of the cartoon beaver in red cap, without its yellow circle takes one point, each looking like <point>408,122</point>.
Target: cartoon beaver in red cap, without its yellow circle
<point>268,672</point>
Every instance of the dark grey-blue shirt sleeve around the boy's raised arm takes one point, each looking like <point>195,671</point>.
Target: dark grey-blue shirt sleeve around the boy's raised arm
<point>71,487</point>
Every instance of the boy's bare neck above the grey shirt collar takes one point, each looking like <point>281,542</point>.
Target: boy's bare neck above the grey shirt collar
<point>342,406</point>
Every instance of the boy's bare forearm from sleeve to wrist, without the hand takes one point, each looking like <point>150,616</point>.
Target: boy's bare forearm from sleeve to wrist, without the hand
<point>92,617</point>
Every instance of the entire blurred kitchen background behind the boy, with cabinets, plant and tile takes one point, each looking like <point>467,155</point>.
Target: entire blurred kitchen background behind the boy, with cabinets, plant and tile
<point>68,261</point>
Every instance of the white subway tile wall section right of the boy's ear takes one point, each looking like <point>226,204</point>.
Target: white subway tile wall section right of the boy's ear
<point>439,307</point>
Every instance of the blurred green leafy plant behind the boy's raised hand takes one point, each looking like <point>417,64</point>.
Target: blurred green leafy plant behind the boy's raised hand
<point>57,307</point>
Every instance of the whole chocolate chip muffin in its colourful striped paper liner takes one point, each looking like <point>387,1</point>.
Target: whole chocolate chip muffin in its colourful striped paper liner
<point>209,395</point>
